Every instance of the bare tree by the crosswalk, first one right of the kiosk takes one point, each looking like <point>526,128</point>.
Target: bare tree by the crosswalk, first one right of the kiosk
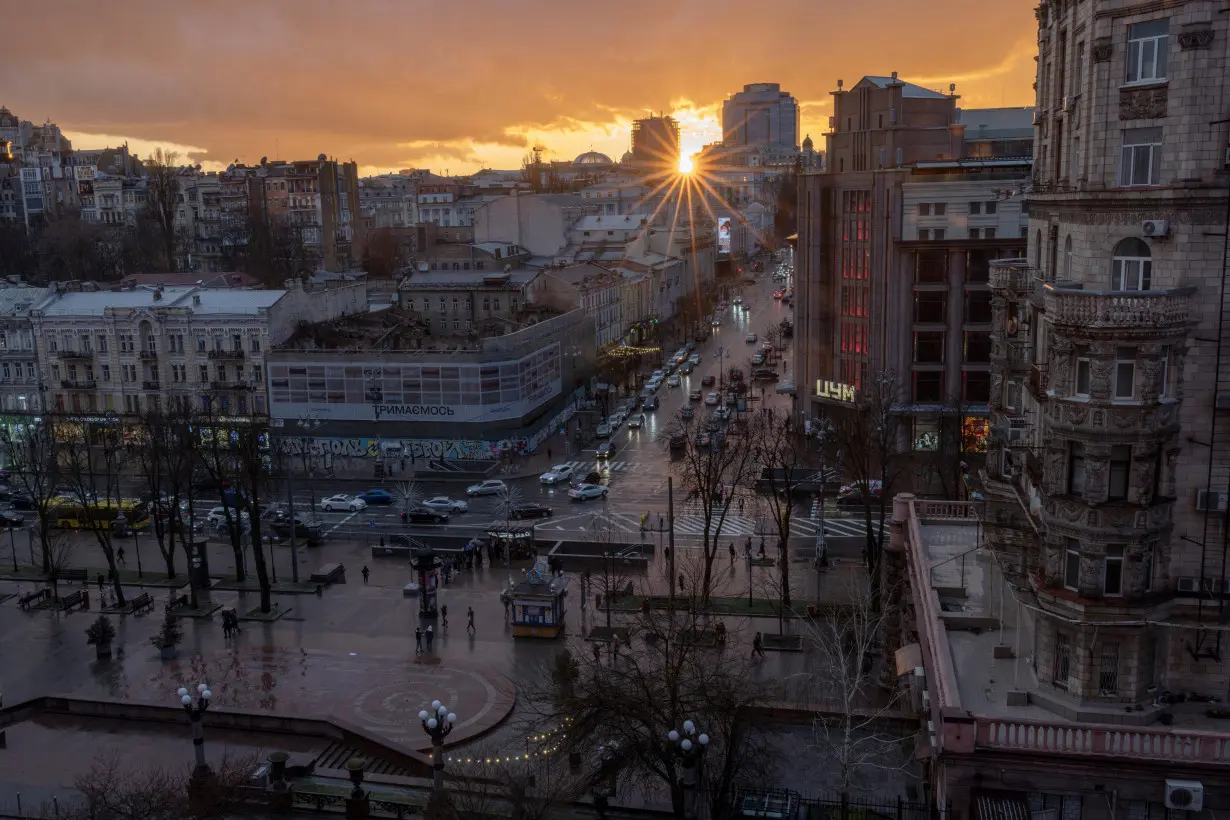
<point>710,467</point>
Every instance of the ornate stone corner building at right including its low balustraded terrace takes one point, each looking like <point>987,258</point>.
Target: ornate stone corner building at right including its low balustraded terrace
<point>1101,571</point>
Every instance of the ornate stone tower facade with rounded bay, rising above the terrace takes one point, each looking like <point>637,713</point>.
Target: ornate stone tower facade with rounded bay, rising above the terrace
<point>1110,467</point>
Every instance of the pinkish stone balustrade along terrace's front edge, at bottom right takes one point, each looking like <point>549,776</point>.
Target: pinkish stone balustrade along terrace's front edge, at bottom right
<point>1098,741</point>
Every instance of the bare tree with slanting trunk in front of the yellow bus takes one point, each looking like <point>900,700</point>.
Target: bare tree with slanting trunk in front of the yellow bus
<point>90,476</point>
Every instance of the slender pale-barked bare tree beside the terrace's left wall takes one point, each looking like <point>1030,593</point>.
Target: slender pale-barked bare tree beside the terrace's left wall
<point>854,708</point>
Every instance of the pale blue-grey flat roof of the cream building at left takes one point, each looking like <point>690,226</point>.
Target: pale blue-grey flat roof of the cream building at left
<point>213,302</point>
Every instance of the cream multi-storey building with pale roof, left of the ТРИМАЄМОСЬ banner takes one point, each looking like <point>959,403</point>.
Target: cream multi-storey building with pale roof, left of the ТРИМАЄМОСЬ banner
<point>126,352</point>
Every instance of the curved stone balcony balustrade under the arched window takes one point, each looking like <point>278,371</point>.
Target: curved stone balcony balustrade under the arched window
<point>1120,309</point>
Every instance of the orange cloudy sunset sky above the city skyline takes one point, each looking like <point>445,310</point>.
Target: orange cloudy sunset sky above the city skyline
<point>457,87</point>
